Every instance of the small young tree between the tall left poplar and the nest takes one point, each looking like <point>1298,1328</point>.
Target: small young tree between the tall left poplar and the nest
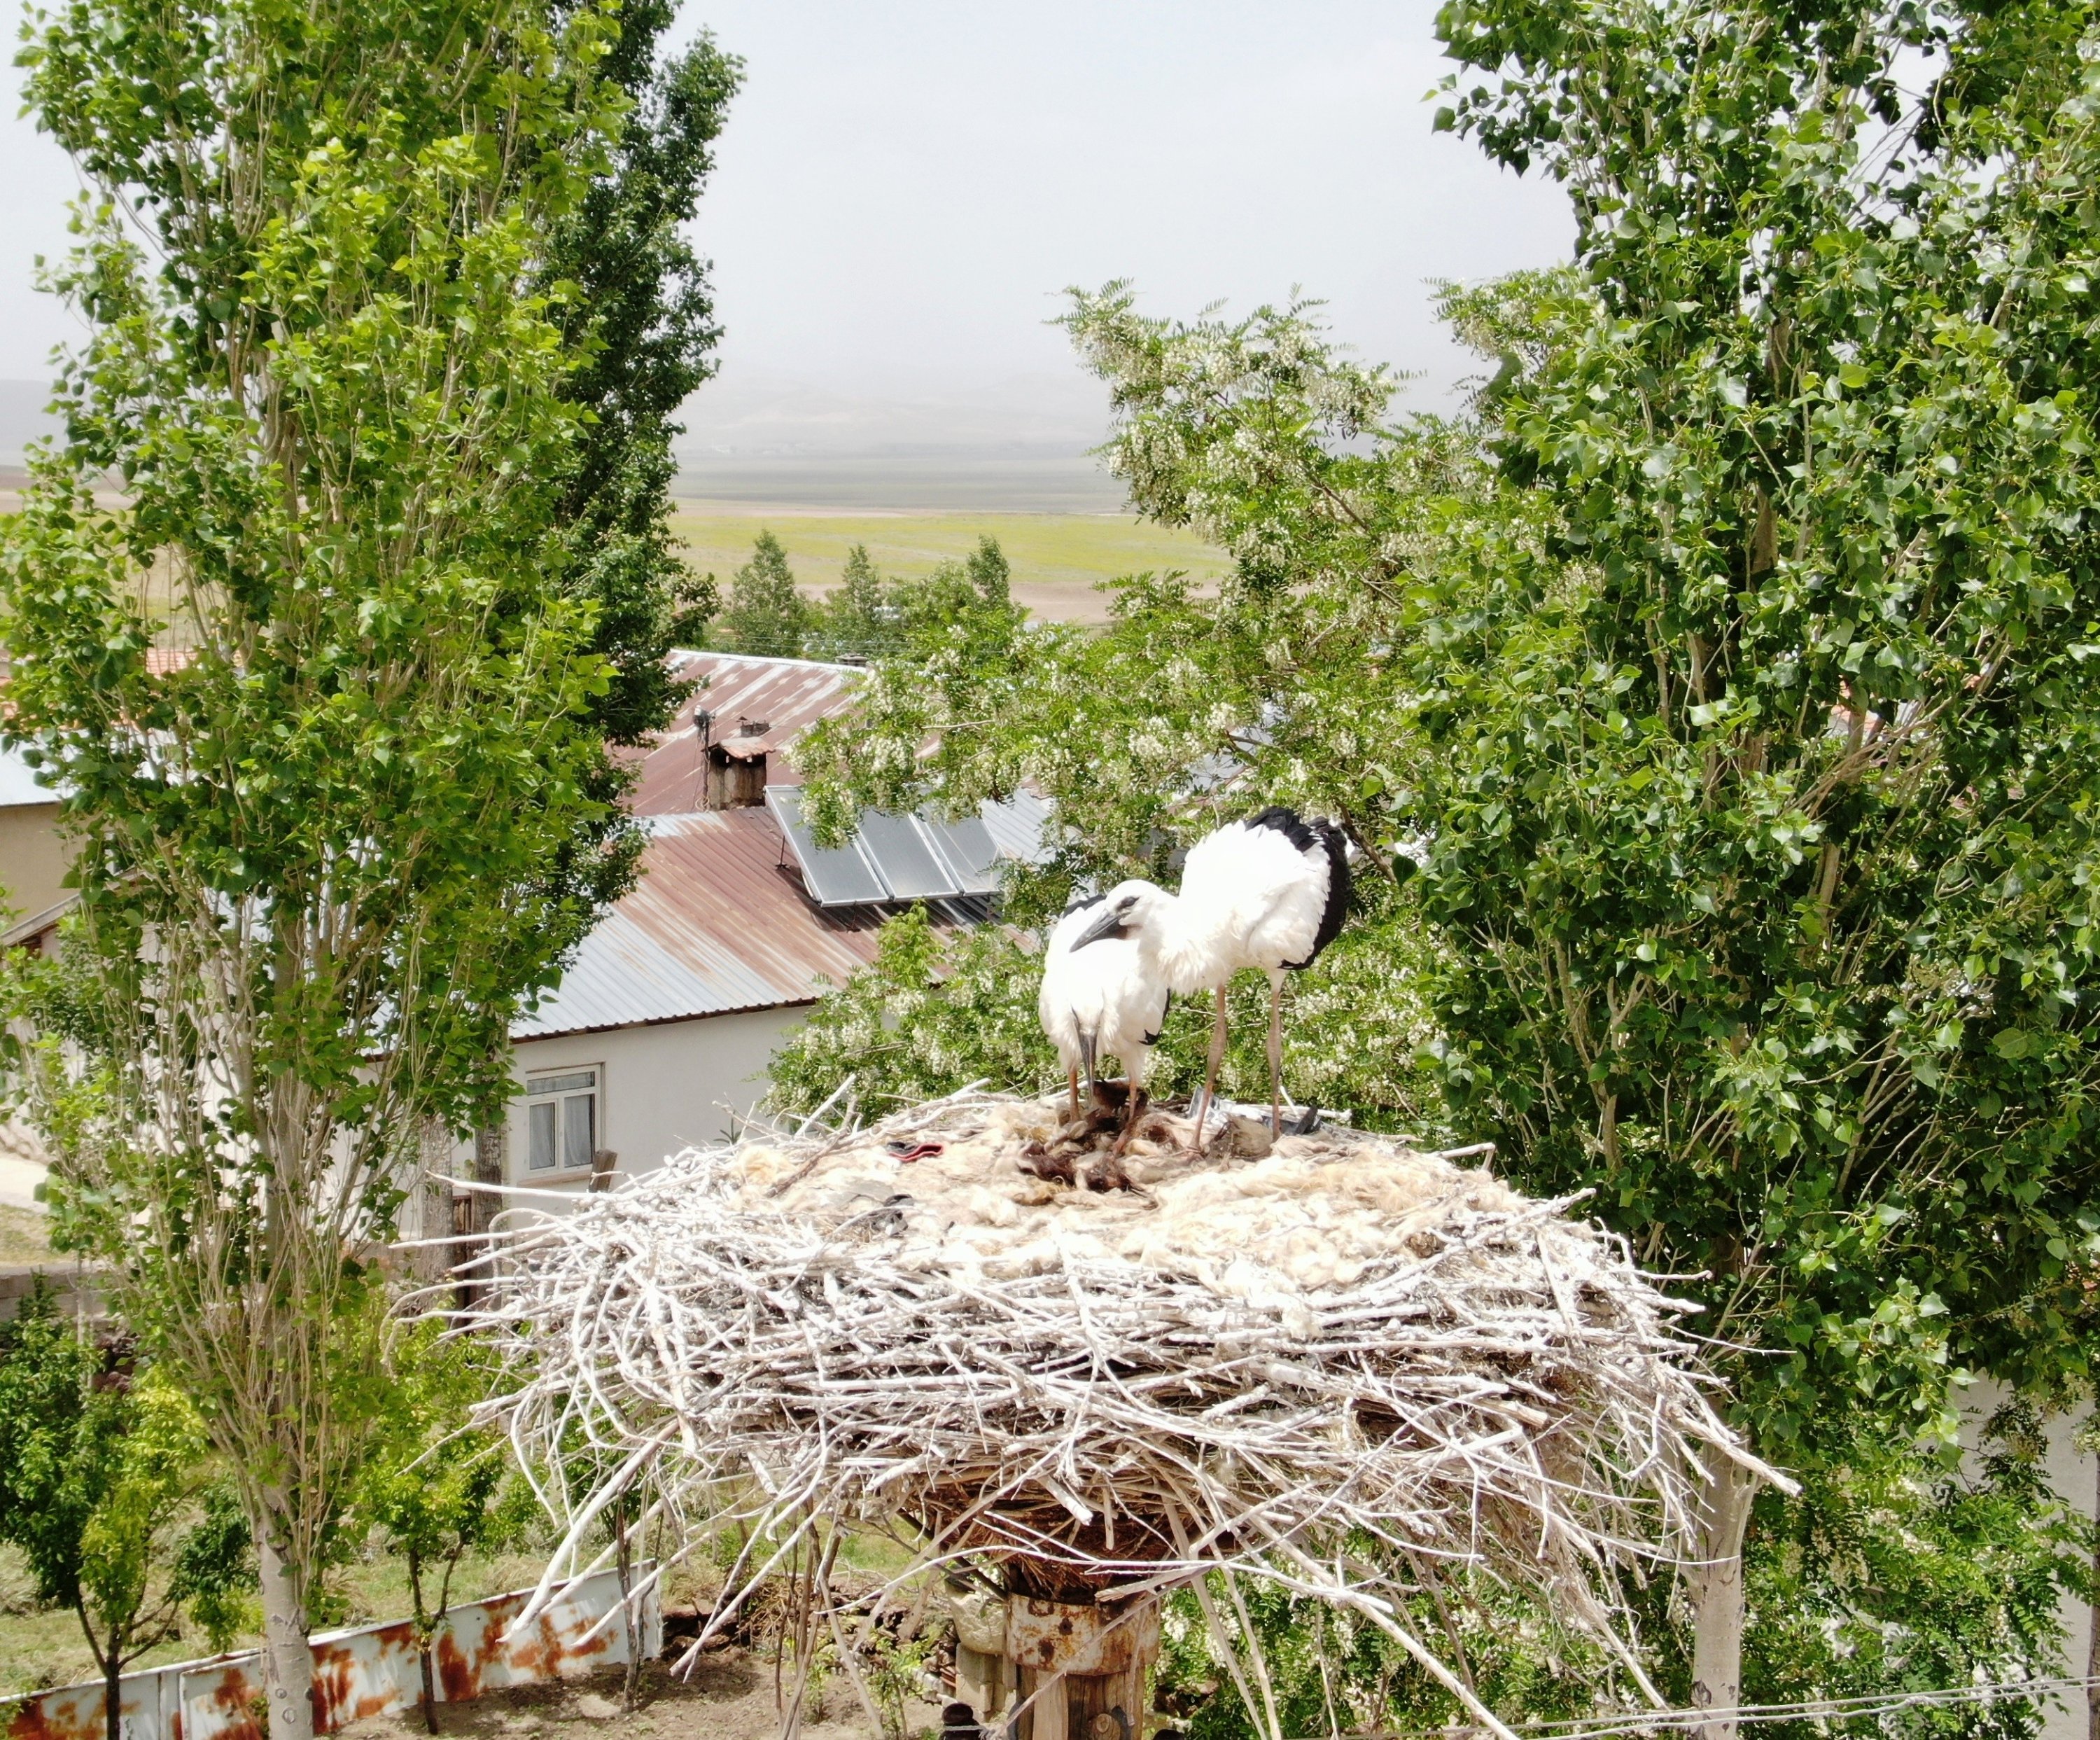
<point>438,1489</point>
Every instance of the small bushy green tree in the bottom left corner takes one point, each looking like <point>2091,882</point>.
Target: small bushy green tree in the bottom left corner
<point>102,1466</point>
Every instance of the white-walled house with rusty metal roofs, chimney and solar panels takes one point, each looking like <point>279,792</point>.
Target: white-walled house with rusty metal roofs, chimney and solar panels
<point>663,1027</point>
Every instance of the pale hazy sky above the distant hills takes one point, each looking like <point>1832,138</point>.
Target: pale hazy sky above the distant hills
<point>904,188</point>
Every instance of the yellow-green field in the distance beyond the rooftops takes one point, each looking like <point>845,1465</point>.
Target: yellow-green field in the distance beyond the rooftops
<point>1057,558</point>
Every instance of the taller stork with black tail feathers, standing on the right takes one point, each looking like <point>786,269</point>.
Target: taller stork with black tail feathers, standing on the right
<point>1267,892</point>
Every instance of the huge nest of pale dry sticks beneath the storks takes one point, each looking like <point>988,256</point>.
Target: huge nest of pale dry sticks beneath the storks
<point>1345,1367</point>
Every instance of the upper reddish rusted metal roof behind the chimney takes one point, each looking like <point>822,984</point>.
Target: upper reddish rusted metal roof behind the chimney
<point>784,695</point>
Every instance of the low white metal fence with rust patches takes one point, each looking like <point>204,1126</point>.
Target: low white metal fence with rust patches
<point>356,1674</point>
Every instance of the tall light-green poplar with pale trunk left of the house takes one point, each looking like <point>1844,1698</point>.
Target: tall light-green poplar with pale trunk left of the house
<point>316,848</point>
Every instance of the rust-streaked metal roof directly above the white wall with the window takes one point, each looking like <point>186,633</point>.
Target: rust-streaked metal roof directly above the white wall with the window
<point>719,924</point>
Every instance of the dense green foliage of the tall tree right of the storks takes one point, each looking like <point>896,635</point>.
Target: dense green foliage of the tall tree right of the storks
<point>1763,768</point>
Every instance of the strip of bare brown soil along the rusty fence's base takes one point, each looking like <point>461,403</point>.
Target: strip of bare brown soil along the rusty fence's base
<point>728,1699</point>
